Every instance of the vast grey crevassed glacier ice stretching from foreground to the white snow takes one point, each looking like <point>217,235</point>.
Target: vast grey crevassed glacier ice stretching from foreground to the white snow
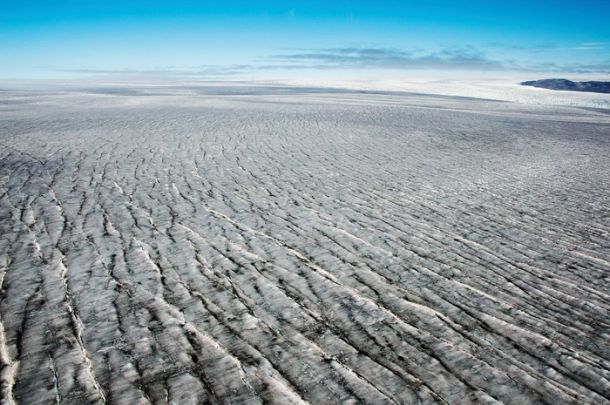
<point>281,245</point>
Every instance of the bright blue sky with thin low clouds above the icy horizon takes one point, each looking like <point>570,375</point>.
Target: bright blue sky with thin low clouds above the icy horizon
<point>71,38</point>
